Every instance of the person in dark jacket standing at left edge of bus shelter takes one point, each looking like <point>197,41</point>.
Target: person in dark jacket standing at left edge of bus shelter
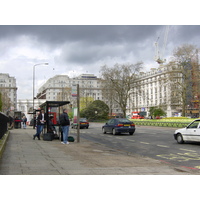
<point>41,120</point>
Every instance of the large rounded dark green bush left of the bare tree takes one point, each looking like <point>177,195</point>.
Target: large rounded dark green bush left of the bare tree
<point>97,110</point>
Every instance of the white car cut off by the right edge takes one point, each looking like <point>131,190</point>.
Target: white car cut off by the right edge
<point>189,133</point>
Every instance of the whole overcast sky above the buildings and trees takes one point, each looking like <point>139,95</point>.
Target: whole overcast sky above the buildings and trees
<point>74,50</point>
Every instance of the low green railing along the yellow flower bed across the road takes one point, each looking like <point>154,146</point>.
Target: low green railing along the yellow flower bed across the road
<point>162,124</point>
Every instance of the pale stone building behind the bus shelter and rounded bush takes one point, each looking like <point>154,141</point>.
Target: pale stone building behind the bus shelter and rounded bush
<point>59,88</point>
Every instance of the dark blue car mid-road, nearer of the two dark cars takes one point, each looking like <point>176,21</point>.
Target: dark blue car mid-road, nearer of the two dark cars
<point>119,125</point>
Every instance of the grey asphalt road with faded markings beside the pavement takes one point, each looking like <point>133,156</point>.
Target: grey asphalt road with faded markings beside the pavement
<point>153,142</point>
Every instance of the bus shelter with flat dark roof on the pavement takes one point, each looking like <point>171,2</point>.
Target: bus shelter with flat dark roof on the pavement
<point>52,129</point>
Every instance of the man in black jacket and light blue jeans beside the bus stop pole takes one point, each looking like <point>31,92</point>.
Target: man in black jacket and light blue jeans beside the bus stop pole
<point>65,123</point>
